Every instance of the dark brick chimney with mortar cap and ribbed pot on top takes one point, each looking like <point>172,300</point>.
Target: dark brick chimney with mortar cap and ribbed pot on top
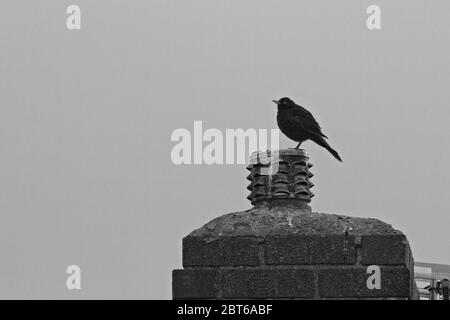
<point>281,249</point>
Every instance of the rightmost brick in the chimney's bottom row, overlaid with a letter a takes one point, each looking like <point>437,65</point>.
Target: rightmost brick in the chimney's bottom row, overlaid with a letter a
<point>351,282</point>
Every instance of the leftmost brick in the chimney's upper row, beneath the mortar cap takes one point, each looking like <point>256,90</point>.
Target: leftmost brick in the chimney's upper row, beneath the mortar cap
<point>224,251</point>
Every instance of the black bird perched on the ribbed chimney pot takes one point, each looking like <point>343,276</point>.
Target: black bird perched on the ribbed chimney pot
<point>298,124</point>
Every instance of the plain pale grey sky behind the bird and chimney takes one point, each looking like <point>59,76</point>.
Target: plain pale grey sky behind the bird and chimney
<point>86,118</point>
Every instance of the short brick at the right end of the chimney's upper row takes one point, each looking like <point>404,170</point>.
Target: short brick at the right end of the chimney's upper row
<point>385,250</point>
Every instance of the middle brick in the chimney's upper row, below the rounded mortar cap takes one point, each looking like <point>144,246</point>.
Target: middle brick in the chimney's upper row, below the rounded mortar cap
<point>306,249</point>
